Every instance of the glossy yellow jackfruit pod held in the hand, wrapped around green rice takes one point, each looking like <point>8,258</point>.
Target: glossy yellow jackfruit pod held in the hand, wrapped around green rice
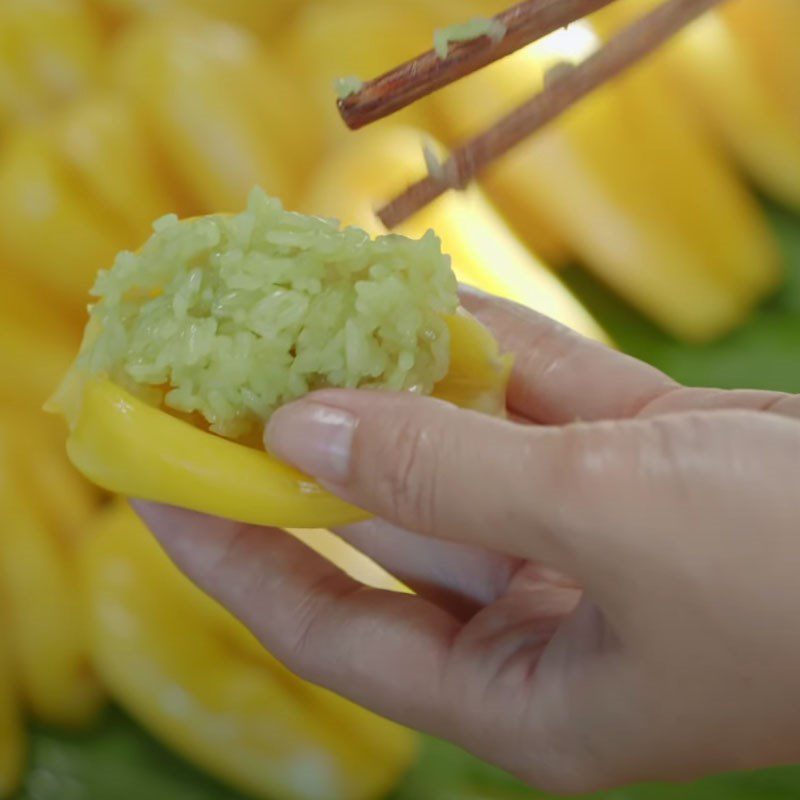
<point>128,447</point>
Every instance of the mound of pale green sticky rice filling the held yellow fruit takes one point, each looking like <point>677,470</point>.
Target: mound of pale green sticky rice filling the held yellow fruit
<point>231,316</point>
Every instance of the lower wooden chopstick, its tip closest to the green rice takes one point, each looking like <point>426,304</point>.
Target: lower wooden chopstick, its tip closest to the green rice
<point>621,52</point>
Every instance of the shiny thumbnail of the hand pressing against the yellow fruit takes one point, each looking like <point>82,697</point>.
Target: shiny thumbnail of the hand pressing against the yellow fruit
<point>316,439</point>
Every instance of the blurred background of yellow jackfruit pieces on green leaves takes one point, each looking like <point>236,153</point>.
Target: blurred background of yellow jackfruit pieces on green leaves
<point>662,215</point>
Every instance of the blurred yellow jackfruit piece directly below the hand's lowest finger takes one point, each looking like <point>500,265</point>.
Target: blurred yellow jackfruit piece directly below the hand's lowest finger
<point>198,679</point>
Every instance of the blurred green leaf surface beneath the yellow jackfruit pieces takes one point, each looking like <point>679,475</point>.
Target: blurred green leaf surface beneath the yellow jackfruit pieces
<point>119,761</point>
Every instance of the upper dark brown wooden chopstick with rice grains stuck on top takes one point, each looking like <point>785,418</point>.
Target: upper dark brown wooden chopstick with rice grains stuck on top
<point>524,23</point>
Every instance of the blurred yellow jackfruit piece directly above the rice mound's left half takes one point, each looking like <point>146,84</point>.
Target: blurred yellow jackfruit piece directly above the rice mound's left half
<point>221,113</point>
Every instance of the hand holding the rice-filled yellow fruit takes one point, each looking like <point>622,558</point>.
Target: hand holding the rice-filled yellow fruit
<point>606,584</point>
